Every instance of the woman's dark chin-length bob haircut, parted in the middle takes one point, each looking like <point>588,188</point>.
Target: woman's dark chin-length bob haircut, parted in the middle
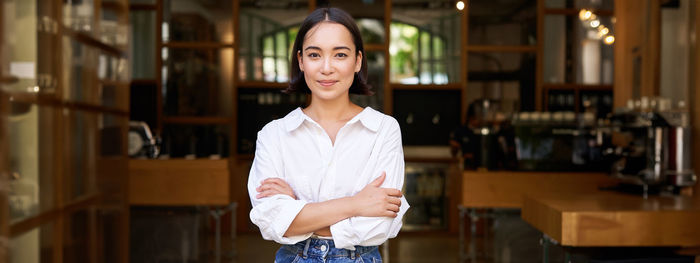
<point>297,83</point>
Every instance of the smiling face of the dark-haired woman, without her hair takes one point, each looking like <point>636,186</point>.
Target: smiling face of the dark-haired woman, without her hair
<point>328,61</point>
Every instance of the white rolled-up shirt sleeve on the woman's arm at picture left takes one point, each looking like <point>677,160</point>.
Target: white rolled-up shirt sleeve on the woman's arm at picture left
<point>273,214</point>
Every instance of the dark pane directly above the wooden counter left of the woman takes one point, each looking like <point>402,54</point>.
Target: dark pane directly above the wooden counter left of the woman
<point>196,141</point>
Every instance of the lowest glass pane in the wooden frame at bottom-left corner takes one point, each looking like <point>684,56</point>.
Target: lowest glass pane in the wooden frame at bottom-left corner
<point>36,245</point>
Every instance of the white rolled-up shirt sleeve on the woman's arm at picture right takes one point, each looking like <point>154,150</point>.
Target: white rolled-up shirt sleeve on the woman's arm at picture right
<point>373,231</point>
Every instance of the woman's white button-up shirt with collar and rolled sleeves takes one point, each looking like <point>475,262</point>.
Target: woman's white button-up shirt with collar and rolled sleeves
<point>297,150</point>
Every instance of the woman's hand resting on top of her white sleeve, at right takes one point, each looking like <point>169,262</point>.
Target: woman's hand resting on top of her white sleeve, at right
<point>374,201</point>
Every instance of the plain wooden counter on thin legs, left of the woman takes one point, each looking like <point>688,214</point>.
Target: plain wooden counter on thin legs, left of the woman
<point>179,182</point>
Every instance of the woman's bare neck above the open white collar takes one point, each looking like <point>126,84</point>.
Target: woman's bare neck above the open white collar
<point>323,110</point>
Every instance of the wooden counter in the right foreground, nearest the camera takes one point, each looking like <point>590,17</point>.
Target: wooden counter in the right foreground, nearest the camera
<point>613,219</point>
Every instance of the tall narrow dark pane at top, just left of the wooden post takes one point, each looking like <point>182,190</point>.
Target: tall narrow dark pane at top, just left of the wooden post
<point>143,35</point>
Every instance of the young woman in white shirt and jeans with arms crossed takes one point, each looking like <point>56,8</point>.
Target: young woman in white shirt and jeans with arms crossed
<point>325,180</point>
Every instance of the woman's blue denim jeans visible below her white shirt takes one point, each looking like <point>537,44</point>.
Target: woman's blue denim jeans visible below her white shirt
<point>323,250</point>
